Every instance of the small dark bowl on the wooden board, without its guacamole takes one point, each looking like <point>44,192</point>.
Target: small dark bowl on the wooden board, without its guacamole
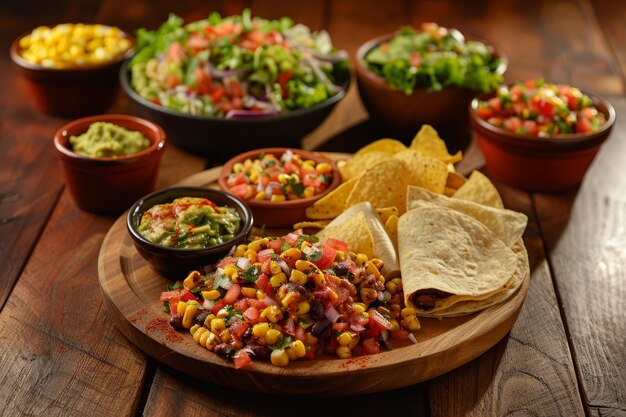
<point>176,263</point>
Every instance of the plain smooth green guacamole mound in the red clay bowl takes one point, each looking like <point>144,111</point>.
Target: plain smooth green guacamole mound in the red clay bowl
<point>106,140</point>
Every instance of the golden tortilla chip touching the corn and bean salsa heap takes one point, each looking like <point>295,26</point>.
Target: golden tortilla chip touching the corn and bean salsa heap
<point>354,231</point>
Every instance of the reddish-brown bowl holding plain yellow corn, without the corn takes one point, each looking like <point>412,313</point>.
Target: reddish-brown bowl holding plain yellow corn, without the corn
<point>74,91</point>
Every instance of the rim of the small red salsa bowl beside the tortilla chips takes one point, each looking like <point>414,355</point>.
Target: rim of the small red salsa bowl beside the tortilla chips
<point>280,205</point>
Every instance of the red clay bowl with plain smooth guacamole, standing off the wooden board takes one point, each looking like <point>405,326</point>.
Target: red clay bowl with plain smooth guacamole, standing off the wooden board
<point>109,160</point>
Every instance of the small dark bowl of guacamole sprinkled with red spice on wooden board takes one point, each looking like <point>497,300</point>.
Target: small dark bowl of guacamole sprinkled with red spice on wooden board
<point>177,230</point>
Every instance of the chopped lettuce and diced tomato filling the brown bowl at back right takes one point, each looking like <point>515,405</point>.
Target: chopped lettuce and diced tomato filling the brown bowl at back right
<point>434,58</point>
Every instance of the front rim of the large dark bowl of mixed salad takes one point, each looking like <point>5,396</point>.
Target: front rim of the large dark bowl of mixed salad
<point>125,83</point>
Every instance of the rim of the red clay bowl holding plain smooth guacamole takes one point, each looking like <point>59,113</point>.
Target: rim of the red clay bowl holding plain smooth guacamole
<point>158,139</point>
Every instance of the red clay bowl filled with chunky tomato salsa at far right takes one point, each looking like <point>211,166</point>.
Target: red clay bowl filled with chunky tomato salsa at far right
<point>526,147</point>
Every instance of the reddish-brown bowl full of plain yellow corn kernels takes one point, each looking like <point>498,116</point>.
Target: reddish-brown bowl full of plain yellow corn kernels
<point>71,69</point>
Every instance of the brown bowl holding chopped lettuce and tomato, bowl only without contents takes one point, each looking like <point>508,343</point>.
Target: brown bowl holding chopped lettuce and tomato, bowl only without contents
<point>402,115</point>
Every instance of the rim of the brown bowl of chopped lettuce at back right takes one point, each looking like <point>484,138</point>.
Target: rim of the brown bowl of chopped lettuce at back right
<point>367,46</point>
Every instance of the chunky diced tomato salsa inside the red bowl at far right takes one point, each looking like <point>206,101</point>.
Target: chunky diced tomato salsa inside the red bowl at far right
<point>541,109</point>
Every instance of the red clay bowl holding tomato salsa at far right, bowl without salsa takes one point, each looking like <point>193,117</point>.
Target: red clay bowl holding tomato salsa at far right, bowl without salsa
<point>539,164</point>
